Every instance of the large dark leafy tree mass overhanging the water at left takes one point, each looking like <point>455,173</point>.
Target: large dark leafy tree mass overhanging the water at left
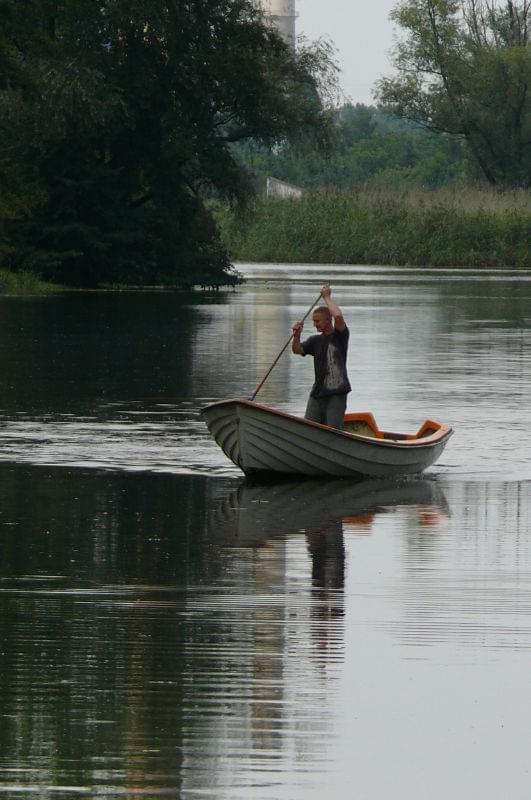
<point>118,117</point>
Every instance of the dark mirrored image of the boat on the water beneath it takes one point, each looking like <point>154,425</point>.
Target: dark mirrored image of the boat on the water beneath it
<point>254,513</point>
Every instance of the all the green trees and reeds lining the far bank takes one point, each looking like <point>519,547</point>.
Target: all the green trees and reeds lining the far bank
<point>130,152</point>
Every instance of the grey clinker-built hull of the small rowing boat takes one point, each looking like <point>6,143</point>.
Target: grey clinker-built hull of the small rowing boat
<point>262,441</point>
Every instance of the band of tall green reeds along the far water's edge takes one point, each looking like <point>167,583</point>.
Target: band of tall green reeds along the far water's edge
<point>460,228</point>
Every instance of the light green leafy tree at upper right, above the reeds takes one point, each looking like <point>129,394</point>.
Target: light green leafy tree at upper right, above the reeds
<point>464,68</point>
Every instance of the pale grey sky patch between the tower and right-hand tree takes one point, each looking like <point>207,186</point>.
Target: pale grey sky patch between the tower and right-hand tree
<point>362,35</point>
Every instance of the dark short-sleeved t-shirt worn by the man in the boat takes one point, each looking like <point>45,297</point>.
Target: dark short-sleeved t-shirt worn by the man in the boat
<point>329,361</point>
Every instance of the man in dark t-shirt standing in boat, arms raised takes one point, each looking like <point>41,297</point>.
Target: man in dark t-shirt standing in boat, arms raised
<point>328,396</point>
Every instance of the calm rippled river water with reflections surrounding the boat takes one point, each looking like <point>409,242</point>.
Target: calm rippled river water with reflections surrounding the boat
<point>168,629</point>
